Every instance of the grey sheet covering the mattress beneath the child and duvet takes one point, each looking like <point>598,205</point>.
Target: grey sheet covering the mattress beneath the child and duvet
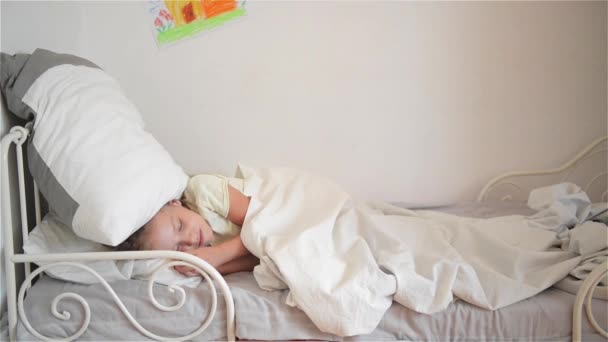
<point>262,315</point>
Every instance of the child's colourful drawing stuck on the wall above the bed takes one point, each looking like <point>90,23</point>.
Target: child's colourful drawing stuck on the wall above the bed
<point>177,19</point>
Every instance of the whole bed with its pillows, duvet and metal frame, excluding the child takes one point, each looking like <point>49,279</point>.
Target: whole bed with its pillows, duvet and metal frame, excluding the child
<point>103,176</point>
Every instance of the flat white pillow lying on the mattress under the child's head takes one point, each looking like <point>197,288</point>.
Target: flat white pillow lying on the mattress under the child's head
<point>51,236</point>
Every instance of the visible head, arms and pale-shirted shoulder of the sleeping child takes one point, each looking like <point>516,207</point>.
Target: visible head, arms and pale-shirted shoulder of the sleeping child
<point>206,222</point>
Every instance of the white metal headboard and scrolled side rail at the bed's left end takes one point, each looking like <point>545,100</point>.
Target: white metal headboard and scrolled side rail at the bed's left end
<point>18,136</point>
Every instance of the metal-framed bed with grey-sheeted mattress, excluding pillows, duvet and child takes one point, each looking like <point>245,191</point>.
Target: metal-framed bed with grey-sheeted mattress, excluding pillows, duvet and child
<point>235,307</point>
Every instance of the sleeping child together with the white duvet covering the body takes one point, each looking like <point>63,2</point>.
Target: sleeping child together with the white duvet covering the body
<point>344,263</point>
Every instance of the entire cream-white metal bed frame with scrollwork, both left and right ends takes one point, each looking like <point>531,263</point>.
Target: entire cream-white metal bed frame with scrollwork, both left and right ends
<point>18,136</point>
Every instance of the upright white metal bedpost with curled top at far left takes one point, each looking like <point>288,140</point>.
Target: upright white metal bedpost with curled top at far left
<point>18,136</point>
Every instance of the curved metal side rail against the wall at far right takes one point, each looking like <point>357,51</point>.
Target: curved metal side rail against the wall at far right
<point>515,186</point>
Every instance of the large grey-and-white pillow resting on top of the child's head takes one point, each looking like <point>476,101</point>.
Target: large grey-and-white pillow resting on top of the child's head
<point>100,171</point>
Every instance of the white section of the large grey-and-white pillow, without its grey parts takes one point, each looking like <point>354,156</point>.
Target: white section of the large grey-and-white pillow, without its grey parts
<point>96,147</point>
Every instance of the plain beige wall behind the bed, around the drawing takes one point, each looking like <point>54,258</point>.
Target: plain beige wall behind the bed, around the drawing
<point>399,101</point>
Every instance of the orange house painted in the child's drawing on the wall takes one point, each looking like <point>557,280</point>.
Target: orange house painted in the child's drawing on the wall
<point>185,12</point>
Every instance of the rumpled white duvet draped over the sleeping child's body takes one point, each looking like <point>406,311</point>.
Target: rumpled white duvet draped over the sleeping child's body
<point>344,264</point>
